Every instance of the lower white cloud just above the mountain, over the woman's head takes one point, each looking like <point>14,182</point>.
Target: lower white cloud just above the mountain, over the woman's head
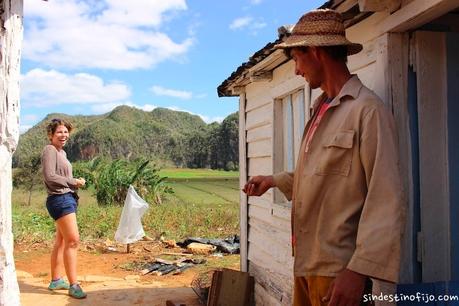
<point>50,87</point>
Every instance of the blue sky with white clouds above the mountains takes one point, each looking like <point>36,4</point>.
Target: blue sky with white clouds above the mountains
<point>85,57</point>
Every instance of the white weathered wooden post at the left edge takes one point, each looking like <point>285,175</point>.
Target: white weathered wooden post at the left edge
<point>10,52</point>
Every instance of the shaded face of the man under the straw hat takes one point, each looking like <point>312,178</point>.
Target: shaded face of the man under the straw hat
<point>308,65</point>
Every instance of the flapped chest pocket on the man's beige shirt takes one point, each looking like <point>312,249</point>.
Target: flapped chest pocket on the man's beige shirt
<point>336,155</point>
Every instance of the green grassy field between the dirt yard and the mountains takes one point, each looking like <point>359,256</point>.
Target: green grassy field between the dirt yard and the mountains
<point>204,204</point>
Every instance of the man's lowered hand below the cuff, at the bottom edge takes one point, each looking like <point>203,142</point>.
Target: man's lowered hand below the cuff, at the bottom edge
<point>346,289</point>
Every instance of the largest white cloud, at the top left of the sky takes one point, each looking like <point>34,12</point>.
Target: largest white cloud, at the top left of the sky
<point>112,34</point>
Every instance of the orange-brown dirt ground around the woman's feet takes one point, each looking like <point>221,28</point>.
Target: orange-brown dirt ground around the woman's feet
<point>106,272</point>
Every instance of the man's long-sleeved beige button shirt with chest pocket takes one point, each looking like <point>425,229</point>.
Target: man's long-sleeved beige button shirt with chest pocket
<point>348,209</point>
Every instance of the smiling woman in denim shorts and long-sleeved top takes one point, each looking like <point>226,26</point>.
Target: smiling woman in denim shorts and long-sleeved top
<point>62,206</point>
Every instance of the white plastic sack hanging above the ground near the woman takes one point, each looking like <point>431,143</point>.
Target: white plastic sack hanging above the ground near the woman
<point>130,228</point>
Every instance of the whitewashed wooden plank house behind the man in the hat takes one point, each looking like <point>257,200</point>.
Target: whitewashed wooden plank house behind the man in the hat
<point>411,60</point>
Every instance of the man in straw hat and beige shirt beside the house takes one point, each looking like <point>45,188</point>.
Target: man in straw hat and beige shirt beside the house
<point>347,212</point>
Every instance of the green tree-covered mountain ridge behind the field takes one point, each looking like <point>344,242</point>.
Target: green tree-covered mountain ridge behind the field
<point>162,135</point>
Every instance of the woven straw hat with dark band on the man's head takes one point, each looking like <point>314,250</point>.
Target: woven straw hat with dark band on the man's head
<point>319,28</point>
